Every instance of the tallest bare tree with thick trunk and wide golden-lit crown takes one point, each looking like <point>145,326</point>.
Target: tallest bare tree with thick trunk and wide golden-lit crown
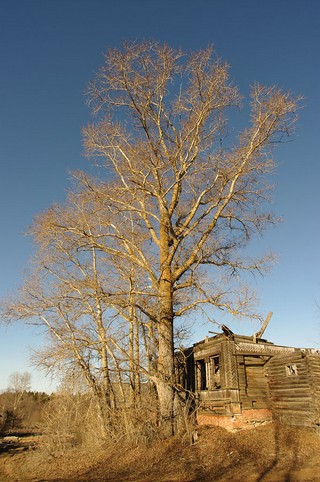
<point>161,129</point>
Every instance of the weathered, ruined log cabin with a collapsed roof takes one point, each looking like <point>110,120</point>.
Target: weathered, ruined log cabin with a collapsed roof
<point>244,380</point>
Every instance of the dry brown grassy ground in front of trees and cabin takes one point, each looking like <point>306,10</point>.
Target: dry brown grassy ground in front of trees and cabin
<point>265,453</point>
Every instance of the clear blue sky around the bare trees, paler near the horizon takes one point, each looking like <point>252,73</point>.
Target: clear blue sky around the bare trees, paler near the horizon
<point>50,49</point>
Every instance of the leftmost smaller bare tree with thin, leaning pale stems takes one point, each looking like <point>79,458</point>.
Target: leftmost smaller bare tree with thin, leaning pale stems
<point>65,295</point>
